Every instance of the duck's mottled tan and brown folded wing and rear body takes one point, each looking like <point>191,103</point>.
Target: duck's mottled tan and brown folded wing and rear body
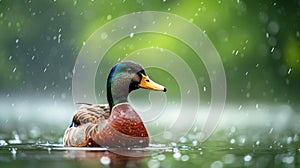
<point>88,120</point>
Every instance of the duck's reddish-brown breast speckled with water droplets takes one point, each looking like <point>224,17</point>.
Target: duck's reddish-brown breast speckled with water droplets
<point>123,129</point>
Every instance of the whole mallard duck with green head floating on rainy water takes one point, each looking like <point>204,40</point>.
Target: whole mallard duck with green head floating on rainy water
<point>116,124</point>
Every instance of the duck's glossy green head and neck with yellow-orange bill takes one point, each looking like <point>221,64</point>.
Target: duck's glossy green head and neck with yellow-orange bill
<point>125,77</point>
